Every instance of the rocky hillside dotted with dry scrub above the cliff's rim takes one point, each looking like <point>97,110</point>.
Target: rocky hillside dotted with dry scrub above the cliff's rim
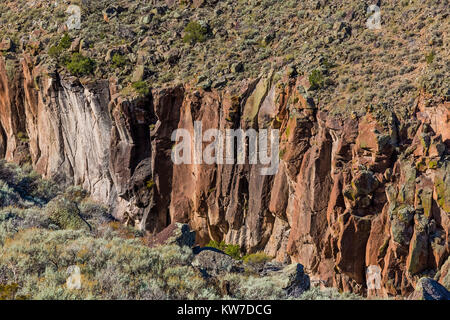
<point>213,43</point>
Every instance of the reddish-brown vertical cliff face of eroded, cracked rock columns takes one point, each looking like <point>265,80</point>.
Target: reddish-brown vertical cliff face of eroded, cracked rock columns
<point>349,193</point>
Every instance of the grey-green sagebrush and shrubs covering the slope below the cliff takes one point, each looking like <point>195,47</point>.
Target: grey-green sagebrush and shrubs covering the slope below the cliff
<point>45,229</point>
